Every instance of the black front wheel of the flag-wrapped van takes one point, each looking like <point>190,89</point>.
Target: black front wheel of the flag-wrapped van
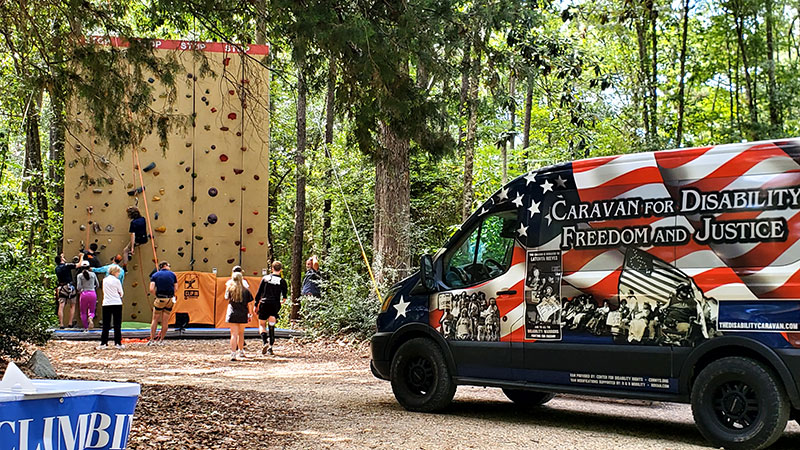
<point>420,377</point>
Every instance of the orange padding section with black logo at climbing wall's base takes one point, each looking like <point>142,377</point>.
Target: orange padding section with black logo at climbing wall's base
<point>195,296</point>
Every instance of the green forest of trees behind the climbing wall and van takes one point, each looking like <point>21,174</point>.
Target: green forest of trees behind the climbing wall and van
<point>411,112</point>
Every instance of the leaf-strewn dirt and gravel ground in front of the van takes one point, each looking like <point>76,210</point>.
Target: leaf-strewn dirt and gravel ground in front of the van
<point>322,395</point>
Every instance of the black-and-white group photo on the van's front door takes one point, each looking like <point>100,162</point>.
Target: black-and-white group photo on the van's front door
<point>469,316</point>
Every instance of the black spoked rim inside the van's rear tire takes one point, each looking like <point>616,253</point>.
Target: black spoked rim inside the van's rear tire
<point>736,405</point>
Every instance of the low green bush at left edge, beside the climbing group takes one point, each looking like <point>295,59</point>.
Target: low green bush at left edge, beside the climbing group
<point>26,310</point>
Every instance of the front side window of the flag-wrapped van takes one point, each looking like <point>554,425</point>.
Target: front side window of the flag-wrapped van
<point>484,253</point>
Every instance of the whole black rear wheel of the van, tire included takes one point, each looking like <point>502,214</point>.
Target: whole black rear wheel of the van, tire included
<point>738,403</point>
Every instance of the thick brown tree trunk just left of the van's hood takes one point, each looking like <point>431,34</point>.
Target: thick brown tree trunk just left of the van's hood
<point>392,206</point>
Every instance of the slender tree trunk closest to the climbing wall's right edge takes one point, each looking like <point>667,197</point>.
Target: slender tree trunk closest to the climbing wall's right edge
<point>300,202</point>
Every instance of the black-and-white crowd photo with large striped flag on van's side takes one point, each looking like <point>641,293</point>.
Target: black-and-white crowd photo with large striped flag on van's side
<point>657,304</point>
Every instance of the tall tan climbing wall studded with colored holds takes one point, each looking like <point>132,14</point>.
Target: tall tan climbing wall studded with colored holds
<point>205,195</point>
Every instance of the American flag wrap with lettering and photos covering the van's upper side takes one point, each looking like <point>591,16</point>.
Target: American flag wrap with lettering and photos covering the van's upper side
<point>664,248</point>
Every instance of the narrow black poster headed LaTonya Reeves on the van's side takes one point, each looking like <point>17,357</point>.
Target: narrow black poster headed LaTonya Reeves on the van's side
<point>542,295</point>
